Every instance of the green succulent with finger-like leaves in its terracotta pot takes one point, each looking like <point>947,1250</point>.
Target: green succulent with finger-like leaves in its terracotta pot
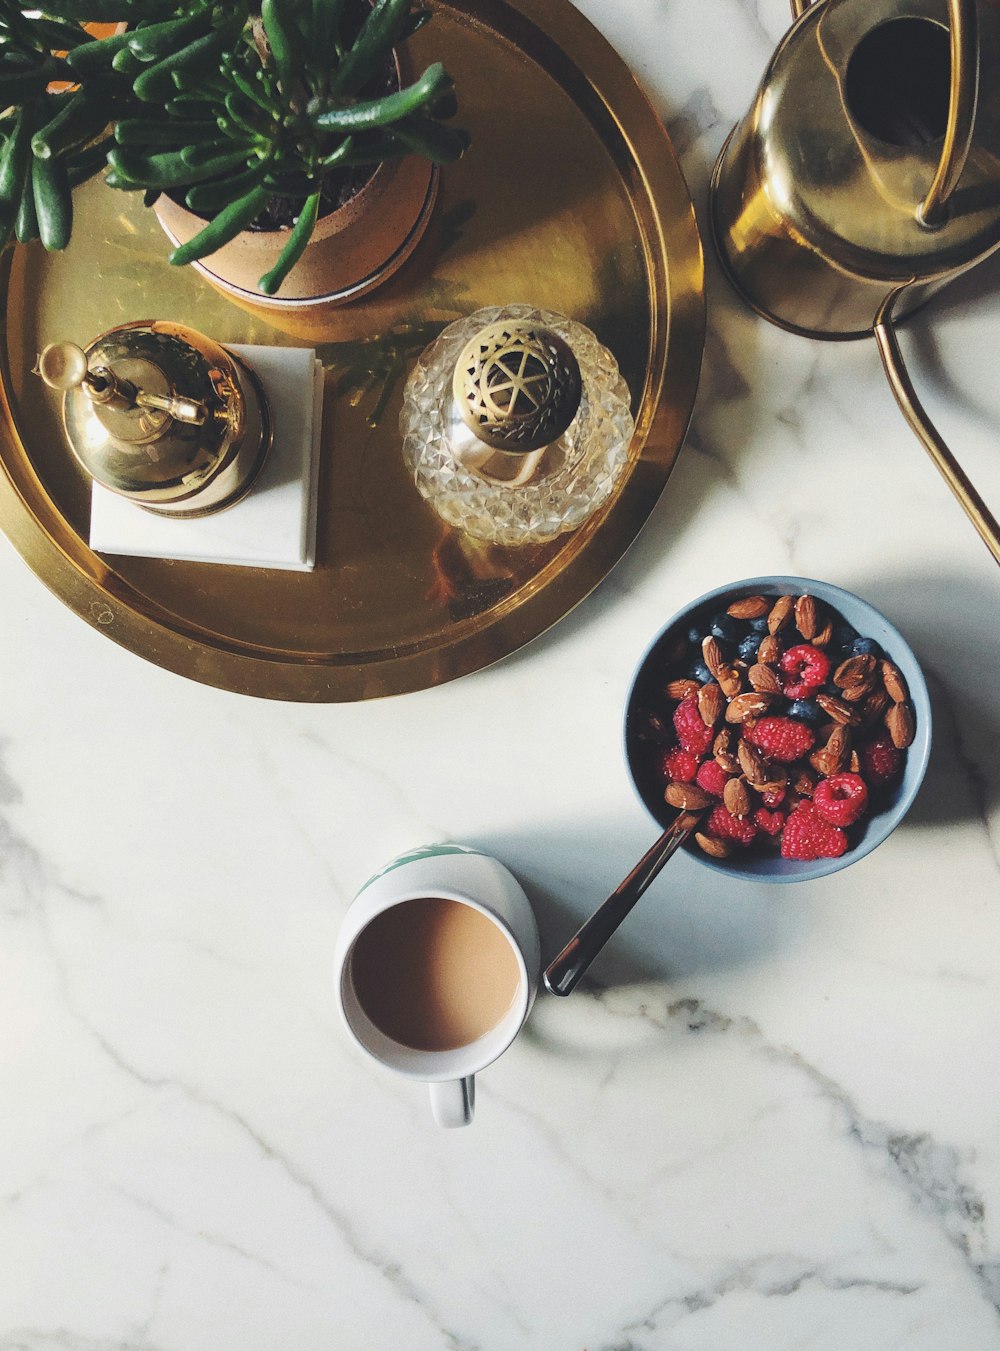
<point>256,134</point>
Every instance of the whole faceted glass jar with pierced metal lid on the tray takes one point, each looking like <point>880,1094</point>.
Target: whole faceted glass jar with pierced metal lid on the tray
<point>517,425</point>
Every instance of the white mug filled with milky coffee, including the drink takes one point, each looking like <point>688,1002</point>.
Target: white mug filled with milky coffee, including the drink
<point>437,968</point>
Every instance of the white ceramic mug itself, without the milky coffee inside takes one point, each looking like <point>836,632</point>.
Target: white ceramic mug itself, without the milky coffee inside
<point>452,873</point>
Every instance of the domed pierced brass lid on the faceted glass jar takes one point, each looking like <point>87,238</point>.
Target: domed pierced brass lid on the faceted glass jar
<point>518,387</point>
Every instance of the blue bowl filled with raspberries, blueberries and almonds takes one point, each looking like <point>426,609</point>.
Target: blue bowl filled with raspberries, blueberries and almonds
<point>791,715</point>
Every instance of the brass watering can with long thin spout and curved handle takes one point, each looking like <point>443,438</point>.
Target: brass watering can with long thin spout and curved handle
<point>867,176</point>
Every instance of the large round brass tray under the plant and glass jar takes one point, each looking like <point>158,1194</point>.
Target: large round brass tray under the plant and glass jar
<point>572,201</point>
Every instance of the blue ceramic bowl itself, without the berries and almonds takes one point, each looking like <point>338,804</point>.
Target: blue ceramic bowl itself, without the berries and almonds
<point>647,694</point>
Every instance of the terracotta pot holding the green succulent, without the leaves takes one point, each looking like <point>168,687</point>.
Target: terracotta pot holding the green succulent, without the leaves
<point>352,251</point>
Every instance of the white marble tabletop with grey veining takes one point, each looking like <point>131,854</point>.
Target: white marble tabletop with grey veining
<point>771,1119</point>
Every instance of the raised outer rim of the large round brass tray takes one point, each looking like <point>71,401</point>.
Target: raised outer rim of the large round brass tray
<point>632,130</point>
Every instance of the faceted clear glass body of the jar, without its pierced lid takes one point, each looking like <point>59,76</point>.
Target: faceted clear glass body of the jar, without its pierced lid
<point>498,496</point>
